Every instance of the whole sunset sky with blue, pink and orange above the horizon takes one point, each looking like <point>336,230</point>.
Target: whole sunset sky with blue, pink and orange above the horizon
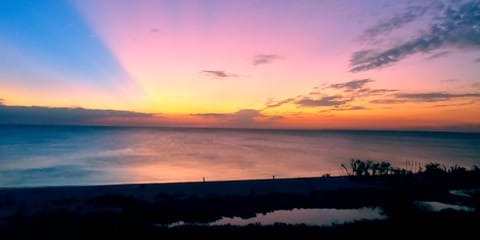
<point>367,64</point>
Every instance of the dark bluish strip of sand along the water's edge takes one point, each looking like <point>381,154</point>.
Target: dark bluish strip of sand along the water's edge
<point>38,197</point>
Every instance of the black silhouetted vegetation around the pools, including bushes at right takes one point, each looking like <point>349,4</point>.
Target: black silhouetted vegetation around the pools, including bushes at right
<point>394,190</point>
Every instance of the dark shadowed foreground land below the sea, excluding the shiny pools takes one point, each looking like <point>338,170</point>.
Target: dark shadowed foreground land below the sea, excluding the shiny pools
<point>145,210</point>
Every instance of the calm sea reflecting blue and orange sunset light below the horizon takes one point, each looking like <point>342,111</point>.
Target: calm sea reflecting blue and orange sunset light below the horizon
<point>48,156</point>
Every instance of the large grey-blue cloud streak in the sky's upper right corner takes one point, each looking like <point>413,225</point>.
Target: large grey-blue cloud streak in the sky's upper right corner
<point>454,26</point>
